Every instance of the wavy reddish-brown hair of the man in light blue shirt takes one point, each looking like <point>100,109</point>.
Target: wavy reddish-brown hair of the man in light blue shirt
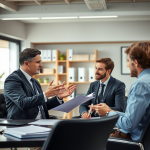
<point>141,52</point>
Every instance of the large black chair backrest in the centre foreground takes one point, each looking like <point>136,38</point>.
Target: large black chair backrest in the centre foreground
<point>80,134</point>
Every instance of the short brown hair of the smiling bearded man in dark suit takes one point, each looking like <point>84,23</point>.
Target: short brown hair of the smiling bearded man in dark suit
<point>108,62</point>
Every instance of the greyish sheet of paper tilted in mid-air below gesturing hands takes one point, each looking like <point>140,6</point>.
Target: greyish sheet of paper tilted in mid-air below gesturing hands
<point>68,106</point>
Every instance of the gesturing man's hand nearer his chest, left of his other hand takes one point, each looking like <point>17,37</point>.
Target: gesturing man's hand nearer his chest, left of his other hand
<point>53,90</point>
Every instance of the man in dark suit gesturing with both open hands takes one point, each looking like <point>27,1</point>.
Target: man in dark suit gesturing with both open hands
<point>23,94</point>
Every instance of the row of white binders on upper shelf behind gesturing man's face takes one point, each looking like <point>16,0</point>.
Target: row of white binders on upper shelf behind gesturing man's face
<point>48,55</point>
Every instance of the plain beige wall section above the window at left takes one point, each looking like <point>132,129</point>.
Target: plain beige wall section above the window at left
<point>13,29</point>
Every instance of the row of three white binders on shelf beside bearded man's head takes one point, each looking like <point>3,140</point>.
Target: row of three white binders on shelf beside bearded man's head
<point>82,74</point>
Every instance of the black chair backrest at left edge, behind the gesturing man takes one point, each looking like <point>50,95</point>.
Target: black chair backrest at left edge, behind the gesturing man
<point>3,110</point>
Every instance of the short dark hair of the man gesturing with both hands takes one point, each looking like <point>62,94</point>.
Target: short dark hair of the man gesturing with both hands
<point>28,54</point>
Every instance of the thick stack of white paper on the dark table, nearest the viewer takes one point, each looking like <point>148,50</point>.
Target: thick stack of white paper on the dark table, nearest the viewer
<point>28,131</point>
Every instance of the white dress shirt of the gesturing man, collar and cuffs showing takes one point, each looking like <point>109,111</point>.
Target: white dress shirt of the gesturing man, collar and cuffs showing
<point>39,116</point>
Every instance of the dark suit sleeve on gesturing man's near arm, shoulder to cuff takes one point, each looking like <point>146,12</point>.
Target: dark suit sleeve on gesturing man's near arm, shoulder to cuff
<point>15,92</point>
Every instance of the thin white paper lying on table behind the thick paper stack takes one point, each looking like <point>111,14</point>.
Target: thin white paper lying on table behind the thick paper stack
<point>45,122</point>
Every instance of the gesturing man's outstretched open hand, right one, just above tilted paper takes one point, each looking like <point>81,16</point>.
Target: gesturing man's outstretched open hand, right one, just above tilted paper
<point>66,91</point>
